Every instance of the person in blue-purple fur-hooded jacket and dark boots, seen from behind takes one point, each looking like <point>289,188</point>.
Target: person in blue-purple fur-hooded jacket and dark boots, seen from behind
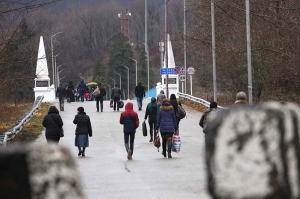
<point>167,125</point>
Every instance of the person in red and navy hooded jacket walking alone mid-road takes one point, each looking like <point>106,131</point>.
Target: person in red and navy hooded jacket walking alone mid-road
<point>130,121</point>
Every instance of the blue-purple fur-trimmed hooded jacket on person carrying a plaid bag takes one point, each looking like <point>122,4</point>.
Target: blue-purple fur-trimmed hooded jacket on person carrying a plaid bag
<point>166,121</point>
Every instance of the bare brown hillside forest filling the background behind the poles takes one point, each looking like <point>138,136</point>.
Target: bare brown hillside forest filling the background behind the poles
<point>91,46</point>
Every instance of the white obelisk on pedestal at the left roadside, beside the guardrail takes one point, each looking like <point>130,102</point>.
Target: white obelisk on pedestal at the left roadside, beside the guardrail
<point>42,80</point>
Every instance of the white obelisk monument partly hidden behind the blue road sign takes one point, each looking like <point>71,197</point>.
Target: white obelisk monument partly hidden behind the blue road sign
<point>173,83</point>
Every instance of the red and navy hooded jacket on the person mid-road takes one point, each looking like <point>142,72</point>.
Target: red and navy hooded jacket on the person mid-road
<point>129,119</point>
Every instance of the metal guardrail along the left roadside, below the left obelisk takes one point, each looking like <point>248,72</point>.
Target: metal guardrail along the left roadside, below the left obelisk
<point>11,133</point>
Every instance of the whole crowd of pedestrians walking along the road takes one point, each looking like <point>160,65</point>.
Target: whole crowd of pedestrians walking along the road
<point>161,112</point>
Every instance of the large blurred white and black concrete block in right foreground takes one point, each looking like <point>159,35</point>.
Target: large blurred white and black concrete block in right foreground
<point>254,152</point>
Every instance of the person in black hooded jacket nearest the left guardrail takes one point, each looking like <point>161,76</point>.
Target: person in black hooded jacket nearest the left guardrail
<point>53,124</point>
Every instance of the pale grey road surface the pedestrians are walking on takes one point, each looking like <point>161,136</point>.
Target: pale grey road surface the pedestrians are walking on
<point>106,172</point>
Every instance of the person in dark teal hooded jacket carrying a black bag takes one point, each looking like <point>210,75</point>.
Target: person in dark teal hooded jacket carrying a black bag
<point>152,111</point>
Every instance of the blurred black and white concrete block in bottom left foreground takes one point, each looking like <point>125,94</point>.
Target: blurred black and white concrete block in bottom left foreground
<point>38,171</point>
